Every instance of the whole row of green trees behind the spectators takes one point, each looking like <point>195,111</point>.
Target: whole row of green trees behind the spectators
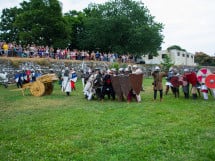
<point>117,26</point>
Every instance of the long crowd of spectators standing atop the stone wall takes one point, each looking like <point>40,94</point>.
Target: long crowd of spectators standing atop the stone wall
<point>31,51</point>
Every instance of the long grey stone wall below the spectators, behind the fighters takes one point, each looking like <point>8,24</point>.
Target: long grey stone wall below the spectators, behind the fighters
<point>11,66</point>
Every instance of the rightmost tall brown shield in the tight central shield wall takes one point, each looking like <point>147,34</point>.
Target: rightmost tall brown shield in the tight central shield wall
<point>136,81</point>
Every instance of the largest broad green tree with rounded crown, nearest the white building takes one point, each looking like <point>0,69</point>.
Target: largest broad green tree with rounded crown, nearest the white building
<point>121,26</point>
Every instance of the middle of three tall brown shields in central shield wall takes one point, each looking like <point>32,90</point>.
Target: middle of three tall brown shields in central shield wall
<point>125,84</point>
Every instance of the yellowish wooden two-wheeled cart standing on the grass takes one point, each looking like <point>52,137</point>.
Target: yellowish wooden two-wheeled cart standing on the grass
<point>42,86</point>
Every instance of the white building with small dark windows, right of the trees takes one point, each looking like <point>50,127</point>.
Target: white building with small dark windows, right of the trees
<point>177,57</point>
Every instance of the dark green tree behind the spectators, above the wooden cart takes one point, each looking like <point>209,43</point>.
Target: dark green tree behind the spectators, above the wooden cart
<point>41,22</point>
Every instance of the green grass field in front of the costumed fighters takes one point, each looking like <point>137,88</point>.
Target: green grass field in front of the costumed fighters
<point>58,127</point>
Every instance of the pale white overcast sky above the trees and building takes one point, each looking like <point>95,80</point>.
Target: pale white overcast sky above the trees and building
<point>189,24</point>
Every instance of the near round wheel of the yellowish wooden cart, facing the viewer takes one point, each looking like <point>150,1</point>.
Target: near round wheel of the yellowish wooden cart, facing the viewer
<point>37,89</point>
